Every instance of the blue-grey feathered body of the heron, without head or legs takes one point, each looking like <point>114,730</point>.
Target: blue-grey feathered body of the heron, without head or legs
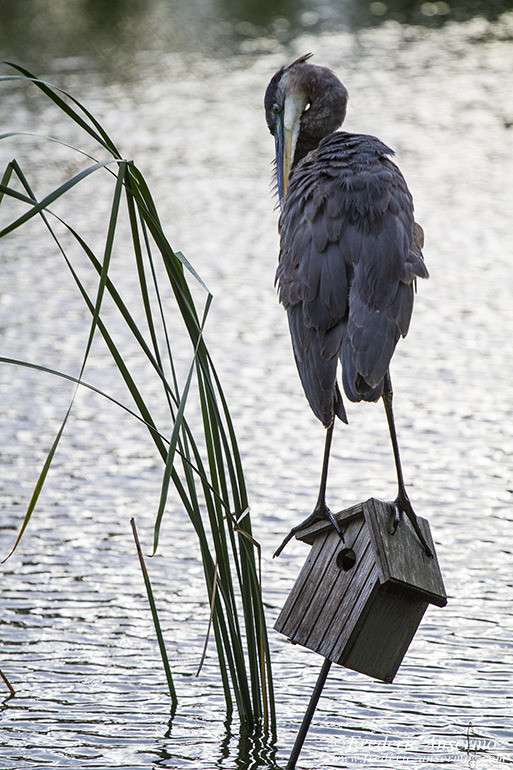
<point>349,257</point>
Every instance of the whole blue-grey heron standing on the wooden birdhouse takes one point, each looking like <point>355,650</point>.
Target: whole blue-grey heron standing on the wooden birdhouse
<point>350,253</point>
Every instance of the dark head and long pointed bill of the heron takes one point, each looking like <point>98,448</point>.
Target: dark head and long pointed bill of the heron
<point>303,104</point>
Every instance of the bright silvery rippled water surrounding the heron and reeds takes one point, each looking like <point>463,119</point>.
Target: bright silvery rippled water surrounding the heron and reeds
<point>77,637</point>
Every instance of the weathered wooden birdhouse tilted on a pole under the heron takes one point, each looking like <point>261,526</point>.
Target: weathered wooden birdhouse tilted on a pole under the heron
<point>359,602</point>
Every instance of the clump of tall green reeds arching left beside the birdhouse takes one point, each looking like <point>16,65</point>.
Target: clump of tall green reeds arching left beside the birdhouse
<point>202,465</point>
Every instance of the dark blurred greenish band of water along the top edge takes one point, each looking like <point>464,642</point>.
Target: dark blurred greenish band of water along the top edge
<point>105,34</point>
